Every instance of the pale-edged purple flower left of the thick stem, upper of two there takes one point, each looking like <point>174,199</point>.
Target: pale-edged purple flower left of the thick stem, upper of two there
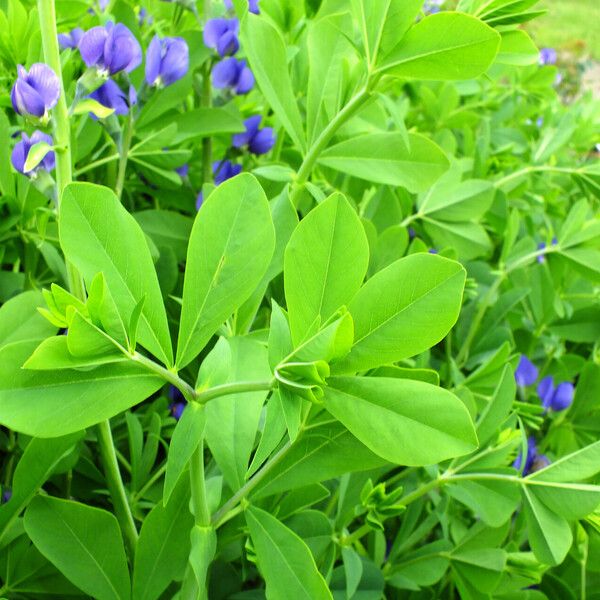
<point>36,92</point>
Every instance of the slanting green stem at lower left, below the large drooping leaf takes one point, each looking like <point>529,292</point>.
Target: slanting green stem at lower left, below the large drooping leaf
<point>115,486</point>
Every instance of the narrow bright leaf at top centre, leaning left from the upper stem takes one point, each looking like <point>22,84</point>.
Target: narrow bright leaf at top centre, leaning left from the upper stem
<point>266,52</point>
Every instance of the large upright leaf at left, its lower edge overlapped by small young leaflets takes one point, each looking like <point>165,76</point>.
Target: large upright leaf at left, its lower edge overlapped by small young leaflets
<point>98,235</point>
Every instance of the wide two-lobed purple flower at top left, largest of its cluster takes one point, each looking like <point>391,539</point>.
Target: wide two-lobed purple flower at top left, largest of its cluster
<point>111,49</point>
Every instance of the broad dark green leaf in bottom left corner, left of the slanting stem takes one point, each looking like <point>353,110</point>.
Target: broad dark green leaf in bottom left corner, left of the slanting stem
<point>84,543</point>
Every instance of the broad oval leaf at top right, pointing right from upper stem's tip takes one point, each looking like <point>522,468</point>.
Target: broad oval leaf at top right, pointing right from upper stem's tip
<point>444,46</point>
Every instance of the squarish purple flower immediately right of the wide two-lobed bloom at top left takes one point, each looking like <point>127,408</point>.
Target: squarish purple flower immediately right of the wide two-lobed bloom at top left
<point>167,61</point>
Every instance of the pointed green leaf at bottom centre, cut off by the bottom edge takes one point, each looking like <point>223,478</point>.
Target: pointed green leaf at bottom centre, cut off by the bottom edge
<point>284,560</point>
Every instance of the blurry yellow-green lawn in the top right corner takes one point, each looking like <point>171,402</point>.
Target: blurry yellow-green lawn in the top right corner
<point>572,25</point>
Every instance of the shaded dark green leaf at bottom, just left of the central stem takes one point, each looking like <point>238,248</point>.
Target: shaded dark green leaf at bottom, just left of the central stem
<point>163,547</point>
